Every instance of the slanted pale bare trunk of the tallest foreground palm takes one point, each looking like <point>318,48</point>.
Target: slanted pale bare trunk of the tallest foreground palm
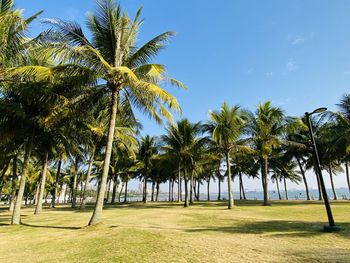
<point>97,214</point>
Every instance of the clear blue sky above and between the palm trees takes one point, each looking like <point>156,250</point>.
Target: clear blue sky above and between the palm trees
<point>294,53</point>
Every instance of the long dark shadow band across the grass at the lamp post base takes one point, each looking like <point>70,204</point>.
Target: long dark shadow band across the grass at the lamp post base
<point>277,228</point>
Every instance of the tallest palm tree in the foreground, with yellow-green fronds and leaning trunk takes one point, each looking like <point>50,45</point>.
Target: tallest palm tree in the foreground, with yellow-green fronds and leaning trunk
<point>112,55</point>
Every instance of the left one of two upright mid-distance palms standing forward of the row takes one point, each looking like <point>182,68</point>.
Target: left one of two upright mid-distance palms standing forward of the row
<point>226,126</point>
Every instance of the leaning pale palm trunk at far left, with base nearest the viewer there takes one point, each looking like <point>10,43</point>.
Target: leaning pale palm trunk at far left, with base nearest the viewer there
<point>16,215</point>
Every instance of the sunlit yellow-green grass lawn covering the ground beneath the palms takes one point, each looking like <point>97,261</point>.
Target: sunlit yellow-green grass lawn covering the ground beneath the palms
<point>163,232</point>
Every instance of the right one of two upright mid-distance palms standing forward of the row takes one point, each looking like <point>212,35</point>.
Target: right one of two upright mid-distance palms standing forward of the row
<point>265,129</point>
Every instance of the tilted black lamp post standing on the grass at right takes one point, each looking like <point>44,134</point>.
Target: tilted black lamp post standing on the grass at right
<point>332,227</point>
